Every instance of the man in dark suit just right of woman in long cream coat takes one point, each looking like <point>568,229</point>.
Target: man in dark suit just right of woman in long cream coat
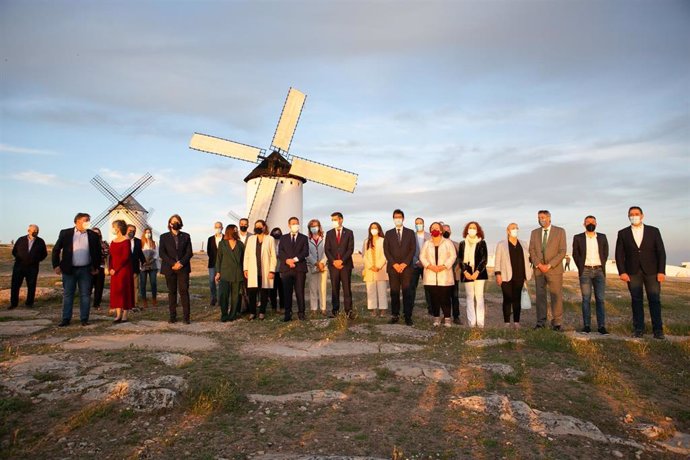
<point>292,262</point>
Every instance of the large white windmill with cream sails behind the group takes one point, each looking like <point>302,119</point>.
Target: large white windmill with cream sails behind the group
<point>274,187</point>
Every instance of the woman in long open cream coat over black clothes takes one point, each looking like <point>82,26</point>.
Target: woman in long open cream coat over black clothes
<point>260,262</point>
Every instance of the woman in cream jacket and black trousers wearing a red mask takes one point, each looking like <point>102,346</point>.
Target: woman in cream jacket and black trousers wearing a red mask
<point>437,257</point>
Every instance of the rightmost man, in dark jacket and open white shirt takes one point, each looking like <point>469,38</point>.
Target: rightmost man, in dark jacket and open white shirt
<point>641,262</point>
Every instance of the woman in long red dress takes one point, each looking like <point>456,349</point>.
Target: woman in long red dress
<point>121,272</point>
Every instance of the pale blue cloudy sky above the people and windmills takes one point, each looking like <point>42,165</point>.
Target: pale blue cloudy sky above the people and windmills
<point>449,110</point>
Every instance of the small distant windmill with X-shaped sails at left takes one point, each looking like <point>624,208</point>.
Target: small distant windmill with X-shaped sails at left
<point>123,206</point>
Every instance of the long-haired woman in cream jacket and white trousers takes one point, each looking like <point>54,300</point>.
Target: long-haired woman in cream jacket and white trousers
<point>375,275</point>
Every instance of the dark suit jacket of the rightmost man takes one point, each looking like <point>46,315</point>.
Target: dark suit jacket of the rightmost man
<point>650,257</point>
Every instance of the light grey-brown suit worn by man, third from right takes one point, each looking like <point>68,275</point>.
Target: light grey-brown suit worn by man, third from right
<point>552,279</point>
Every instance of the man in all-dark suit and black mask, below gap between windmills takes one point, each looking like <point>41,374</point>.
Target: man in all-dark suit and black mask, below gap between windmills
<point>175,250</point>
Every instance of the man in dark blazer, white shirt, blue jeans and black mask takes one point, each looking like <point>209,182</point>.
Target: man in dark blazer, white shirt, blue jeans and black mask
<point>590,252</point>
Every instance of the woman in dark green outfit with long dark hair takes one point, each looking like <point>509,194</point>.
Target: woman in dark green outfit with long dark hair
<point>229,273</point>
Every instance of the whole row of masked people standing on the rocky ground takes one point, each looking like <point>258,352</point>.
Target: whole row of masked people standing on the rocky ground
<point>267,265</point>
